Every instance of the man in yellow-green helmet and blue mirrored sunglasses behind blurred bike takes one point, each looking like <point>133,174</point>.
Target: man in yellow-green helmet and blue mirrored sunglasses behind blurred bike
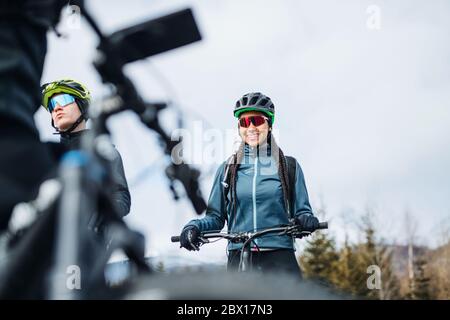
<point>68,101</point>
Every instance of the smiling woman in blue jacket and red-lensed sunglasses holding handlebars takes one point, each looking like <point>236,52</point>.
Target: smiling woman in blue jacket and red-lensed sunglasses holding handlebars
<point>258,188</point>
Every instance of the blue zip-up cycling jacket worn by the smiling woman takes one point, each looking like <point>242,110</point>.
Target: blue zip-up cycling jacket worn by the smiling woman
<point>260,201</point>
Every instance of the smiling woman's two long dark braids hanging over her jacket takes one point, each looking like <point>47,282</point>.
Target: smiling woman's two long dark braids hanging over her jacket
<point>236,160</point>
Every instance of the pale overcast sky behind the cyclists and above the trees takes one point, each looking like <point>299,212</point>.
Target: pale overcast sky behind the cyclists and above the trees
<point>365,110</point>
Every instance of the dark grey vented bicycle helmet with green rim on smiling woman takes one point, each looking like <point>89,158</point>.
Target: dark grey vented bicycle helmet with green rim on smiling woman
<point>255,101</point>
